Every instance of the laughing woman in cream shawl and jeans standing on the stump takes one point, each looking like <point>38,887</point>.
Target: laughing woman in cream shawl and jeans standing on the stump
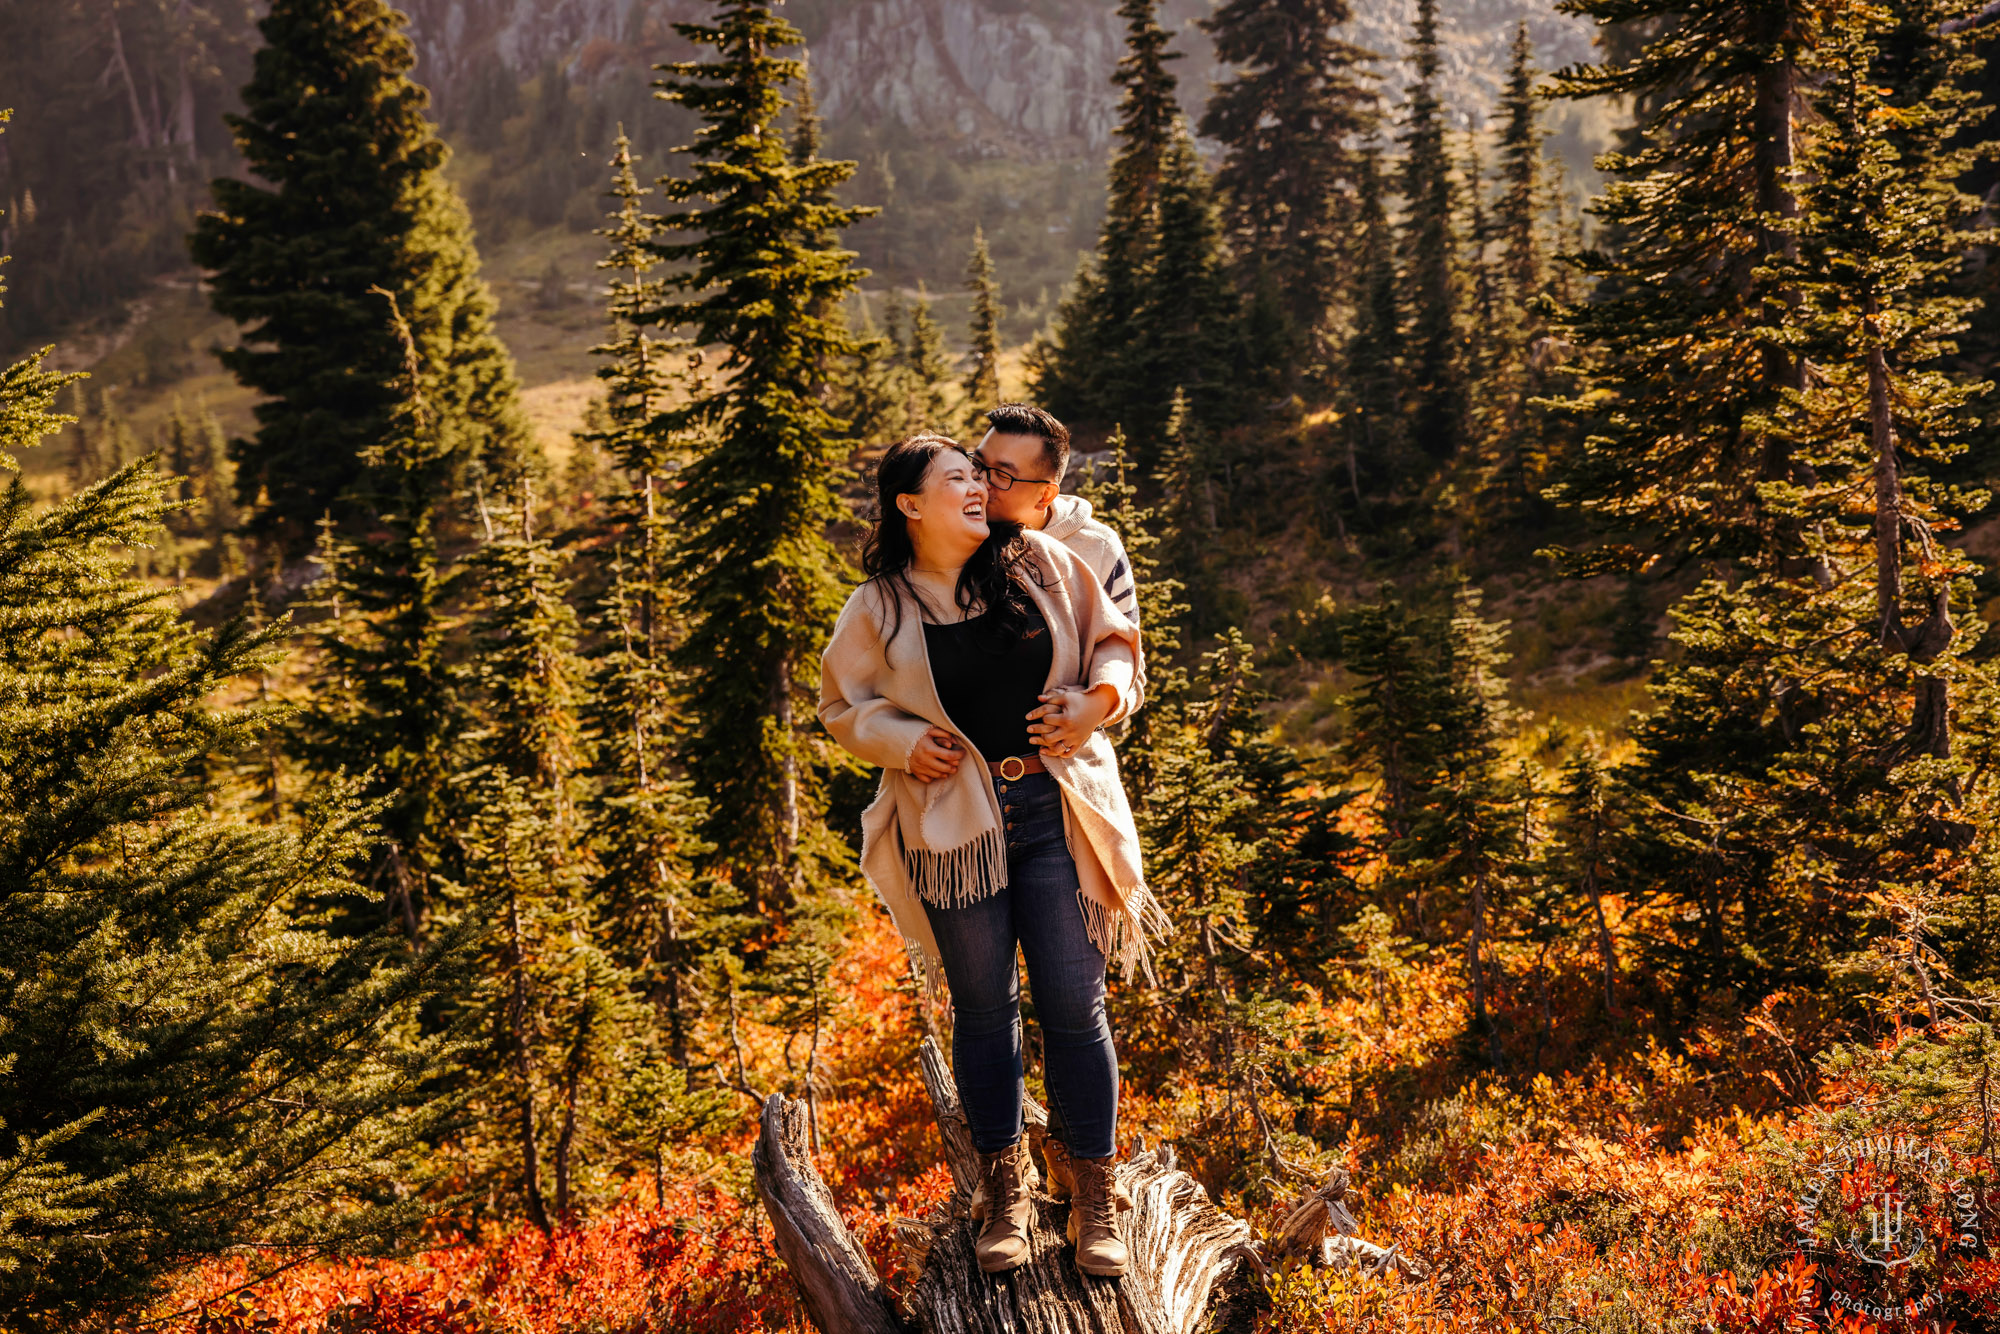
<point>977,667</point>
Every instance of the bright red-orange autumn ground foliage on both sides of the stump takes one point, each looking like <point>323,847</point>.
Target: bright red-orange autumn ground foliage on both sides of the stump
<point>1605,1199</point>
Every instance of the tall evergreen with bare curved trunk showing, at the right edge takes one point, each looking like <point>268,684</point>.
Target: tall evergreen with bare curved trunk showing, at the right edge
<point>1807,751</point>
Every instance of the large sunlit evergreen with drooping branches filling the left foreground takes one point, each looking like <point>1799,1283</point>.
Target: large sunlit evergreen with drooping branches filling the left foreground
<point>195,1063</point>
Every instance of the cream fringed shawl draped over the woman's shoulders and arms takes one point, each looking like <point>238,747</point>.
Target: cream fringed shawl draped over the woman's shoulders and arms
<point>943,843</point>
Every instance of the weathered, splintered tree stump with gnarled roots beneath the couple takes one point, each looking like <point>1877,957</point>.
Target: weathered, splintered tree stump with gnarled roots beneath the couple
<point>1183,1247</point>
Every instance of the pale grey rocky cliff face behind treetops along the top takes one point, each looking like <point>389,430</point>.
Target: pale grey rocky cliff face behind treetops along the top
<point>995,77</point>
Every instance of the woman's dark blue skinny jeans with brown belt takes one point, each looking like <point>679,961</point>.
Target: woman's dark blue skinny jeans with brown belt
<point>1037,913</point>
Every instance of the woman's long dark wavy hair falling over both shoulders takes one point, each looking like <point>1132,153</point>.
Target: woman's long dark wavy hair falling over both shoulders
<point>993,579</point>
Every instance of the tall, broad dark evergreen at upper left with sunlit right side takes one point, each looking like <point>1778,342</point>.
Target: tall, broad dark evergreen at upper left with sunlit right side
<point>349,195</point>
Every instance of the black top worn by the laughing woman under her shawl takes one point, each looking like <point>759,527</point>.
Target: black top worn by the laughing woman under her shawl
<point>991,681</point>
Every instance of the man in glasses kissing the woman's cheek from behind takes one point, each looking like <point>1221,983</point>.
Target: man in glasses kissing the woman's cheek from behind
<point>1025,455</point>
